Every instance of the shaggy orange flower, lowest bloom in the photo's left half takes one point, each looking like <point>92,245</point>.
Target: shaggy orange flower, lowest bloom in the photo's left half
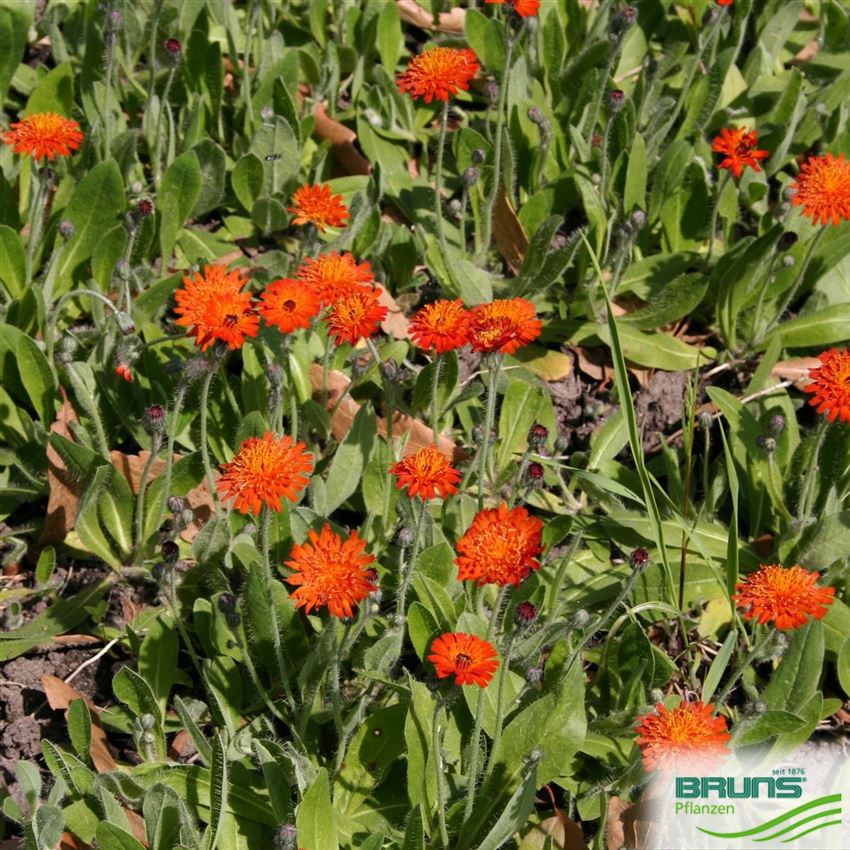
<point>331,571</point>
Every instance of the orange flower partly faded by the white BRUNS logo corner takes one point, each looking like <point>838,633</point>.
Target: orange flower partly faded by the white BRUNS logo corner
<point>679,737</point>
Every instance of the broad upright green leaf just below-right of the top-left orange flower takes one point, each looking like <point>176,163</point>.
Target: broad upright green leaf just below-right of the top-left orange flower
<point>93,209</point>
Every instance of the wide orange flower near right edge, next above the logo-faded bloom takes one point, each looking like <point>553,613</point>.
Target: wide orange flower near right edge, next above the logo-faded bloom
<point>787,597</point>
